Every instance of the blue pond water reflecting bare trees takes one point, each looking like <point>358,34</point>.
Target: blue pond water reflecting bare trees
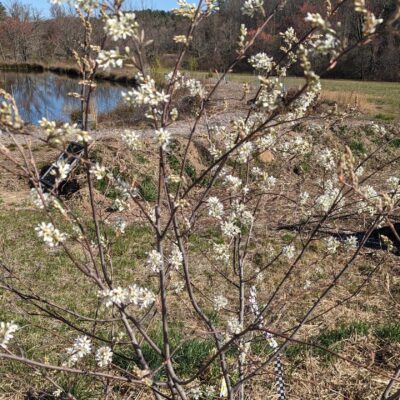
<point>46,95</point>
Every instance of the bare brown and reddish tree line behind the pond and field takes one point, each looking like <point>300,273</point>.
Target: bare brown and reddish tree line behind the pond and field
<point>25,35</point>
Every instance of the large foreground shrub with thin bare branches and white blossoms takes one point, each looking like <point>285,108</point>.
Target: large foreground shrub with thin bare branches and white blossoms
<point>230,197</point>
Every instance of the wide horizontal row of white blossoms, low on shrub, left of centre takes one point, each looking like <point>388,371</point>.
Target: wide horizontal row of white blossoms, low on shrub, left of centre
<point>132,295</point>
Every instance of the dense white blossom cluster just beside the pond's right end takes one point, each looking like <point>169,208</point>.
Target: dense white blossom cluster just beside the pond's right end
<point>145,94</point>
